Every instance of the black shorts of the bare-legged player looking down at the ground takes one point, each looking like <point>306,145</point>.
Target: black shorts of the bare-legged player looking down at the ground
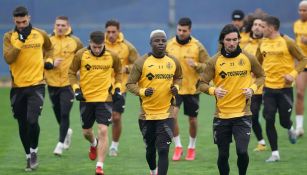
<point>99,111</point>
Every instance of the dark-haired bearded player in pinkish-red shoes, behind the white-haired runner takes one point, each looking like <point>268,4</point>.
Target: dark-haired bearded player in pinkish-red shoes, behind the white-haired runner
<point>192,56</point>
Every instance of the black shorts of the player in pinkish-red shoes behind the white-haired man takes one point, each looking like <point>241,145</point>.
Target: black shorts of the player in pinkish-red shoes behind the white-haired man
<point>190,104</point>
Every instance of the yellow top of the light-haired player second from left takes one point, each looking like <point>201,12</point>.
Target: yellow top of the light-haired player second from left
<point>65,47</point>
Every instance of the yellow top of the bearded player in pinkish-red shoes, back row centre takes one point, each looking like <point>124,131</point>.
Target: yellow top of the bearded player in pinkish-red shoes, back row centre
<point>192,50</point>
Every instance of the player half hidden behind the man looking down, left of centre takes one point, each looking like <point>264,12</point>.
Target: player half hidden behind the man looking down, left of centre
<point>127,53</point>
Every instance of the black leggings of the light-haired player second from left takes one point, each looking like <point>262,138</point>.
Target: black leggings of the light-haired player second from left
<point>62,101</point>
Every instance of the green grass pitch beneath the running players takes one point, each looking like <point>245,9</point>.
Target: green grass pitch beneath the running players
<point>131,160</point>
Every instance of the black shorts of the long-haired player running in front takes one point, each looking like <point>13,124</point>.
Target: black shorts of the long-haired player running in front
<point>239,127</point>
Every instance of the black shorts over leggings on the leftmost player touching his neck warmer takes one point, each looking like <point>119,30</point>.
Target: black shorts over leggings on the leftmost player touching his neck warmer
<point>27,102</point>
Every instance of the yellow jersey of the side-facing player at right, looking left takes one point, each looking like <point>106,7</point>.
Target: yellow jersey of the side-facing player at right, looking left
<point>277,58</point>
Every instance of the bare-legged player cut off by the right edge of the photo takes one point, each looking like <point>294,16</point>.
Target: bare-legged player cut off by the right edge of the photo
<point>300,31</point>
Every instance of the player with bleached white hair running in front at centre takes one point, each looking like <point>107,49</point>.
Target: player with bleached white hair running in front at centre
<point>155,78</point>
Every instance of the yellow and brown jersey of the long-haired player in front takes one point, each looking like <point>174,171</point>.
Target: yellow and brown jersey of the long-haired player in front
<point>232,74</point>
